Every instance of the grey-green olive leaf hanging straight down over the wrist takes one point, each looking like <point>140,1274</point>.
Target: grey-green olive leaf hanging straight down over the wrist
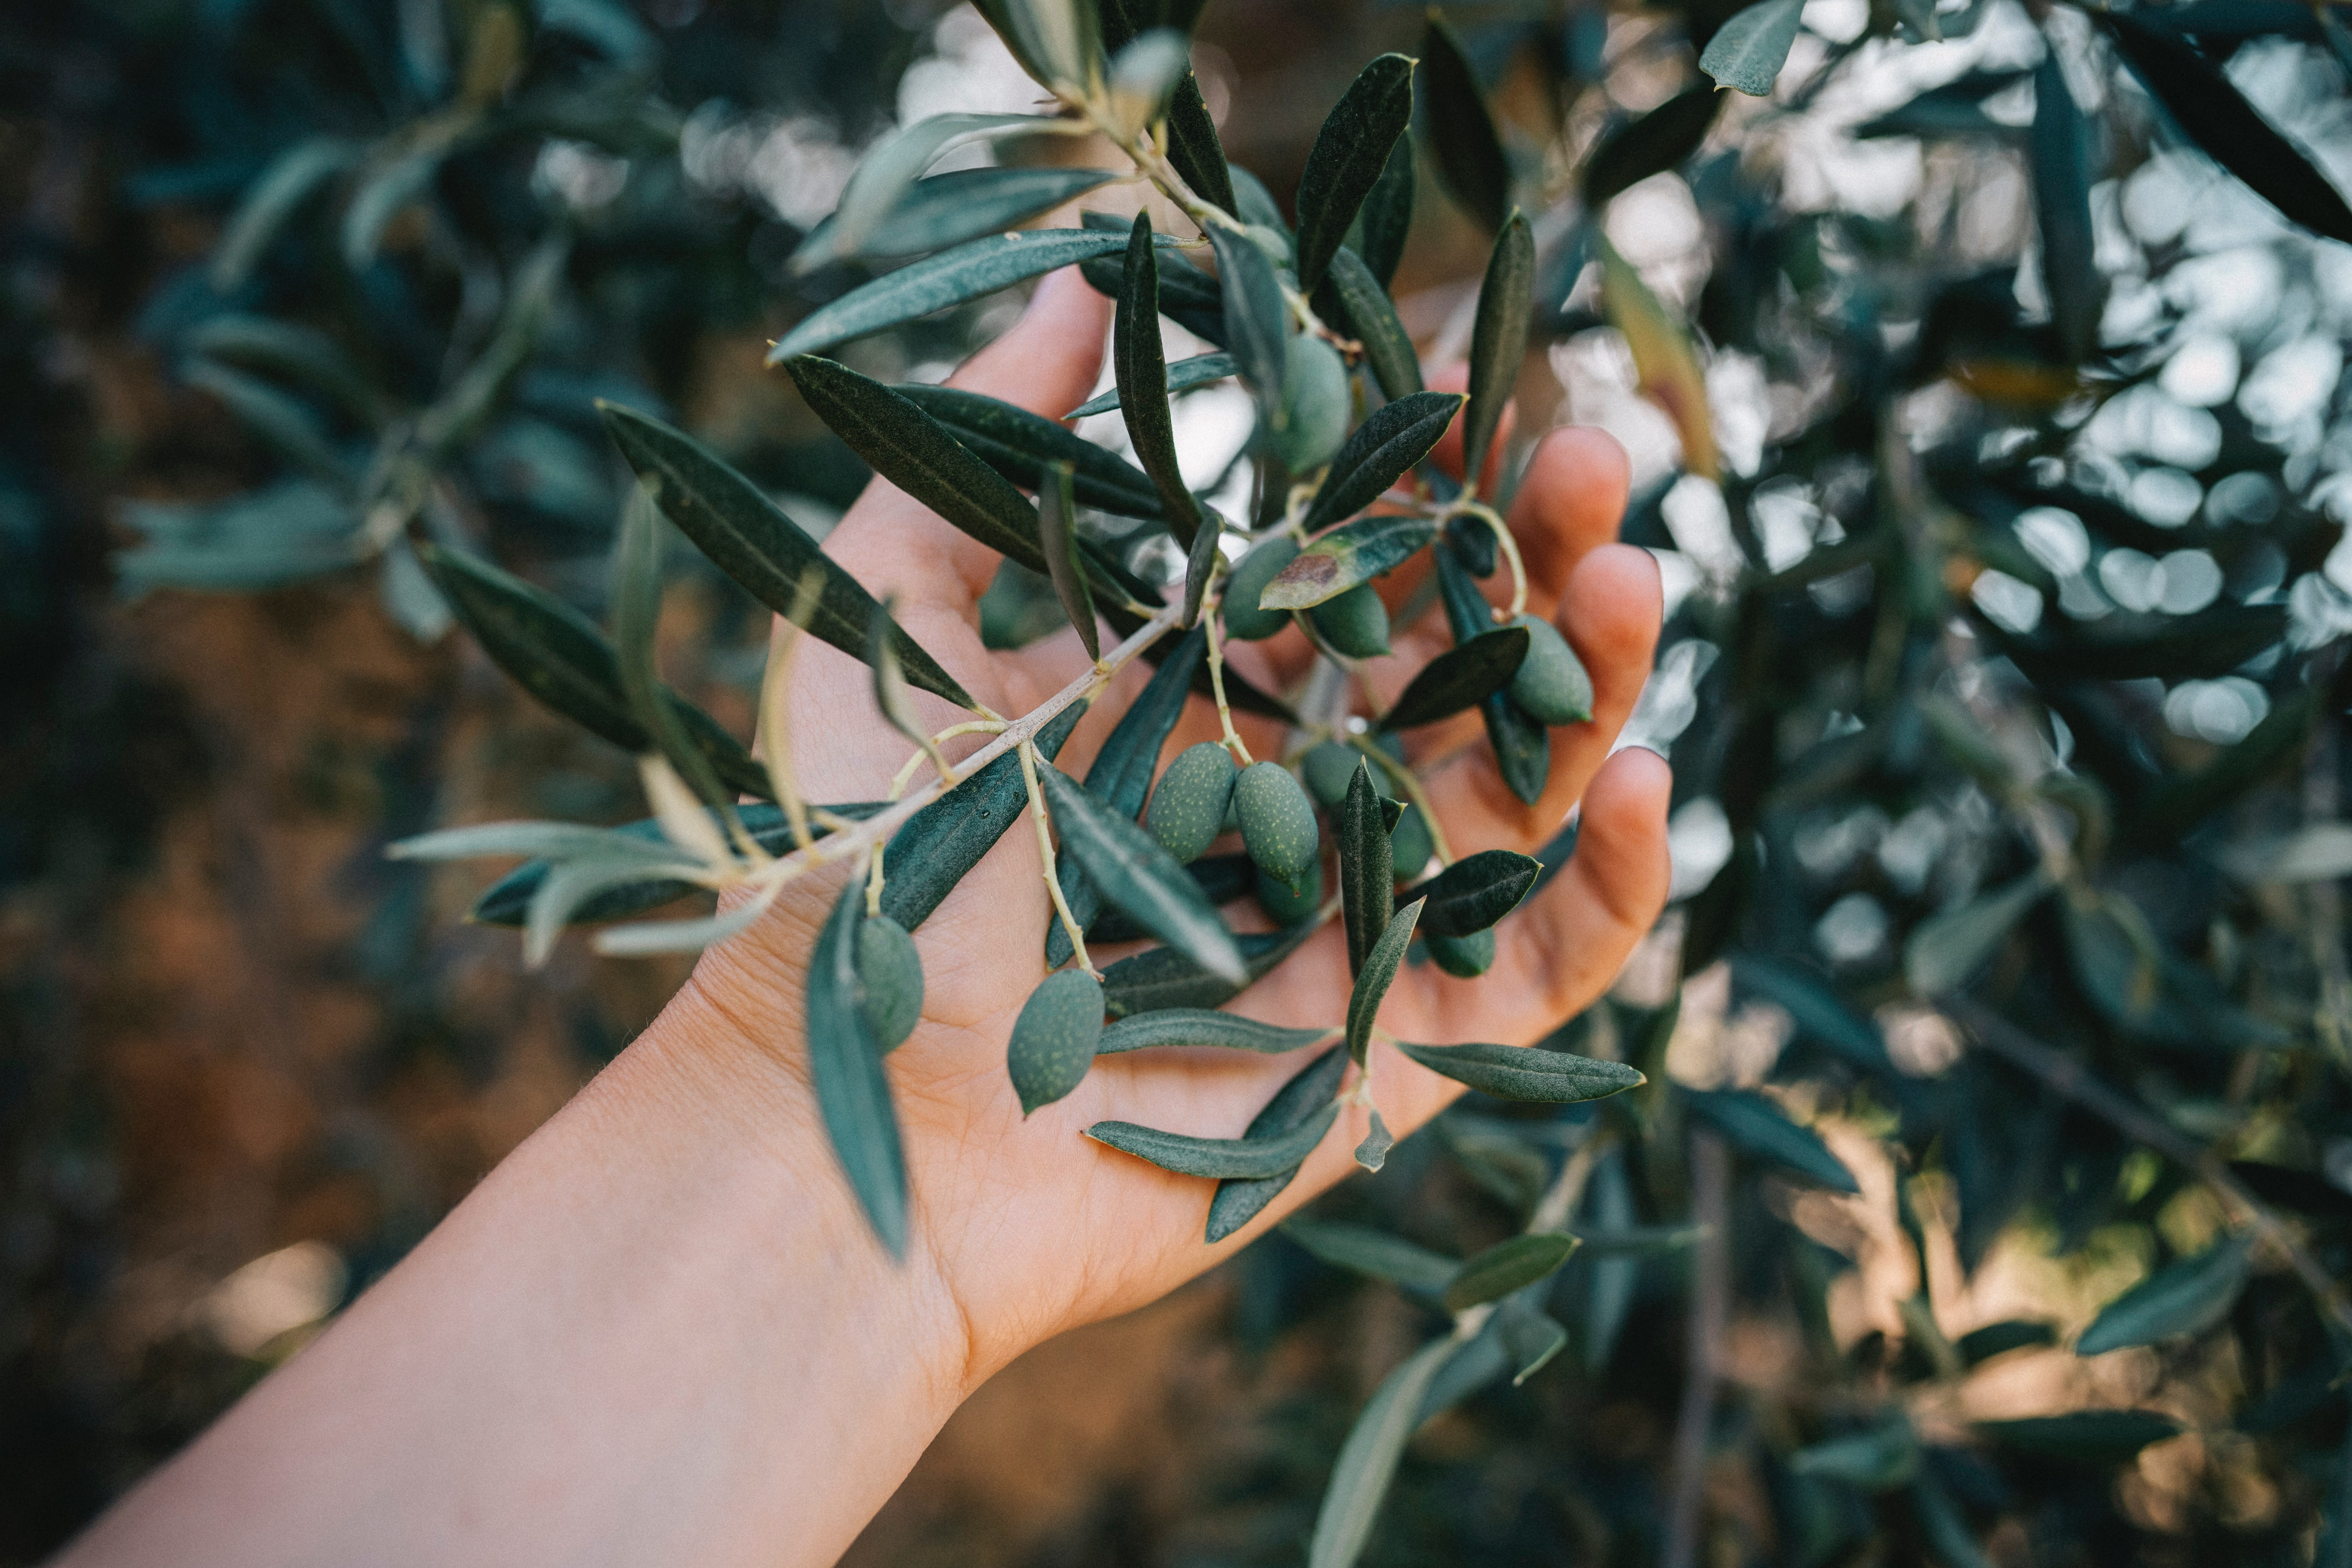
<point>846,1071</point>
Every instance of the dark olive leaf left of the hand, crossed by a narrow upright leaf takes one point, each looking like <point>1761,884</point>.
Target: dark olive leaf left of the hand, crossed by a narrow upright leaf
<point>563,659</point>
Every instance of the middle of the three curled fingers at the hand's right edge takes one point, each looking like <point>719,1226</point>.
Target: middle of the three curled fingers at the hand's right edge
<point>1610,615</point>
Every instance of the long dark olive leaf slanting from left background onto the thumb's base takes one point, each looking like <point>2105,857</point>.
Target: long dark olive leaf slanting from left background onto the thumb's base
<point>759,544</point>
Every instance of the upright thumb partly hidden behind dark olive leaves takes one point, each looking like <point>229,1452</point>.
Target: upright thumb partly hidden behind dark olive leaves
<point>1048,363</point>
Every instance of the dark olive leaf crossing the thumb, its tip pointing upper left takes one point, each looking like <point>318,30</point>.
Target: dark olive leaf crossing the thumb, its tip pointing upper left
<point>921,457</point>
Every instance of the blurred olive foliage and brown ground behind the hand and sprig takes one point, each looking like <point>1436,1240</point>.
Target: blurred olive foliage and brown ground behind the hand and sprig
<point>1989,438</point>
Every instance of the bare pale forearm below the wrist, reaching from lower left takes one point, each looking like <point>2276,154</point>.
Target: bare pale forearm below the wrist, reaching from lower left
<point>657,1334</point>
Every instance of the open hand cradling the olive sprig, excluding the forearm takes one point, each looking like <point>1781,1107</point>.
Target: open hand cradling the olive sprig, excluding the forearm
<point>1024,1228</point>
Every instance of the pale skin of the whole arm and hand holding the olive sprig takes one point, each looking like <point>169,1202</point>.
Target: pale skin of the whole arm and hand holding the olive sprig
<point>662,1334</point>
